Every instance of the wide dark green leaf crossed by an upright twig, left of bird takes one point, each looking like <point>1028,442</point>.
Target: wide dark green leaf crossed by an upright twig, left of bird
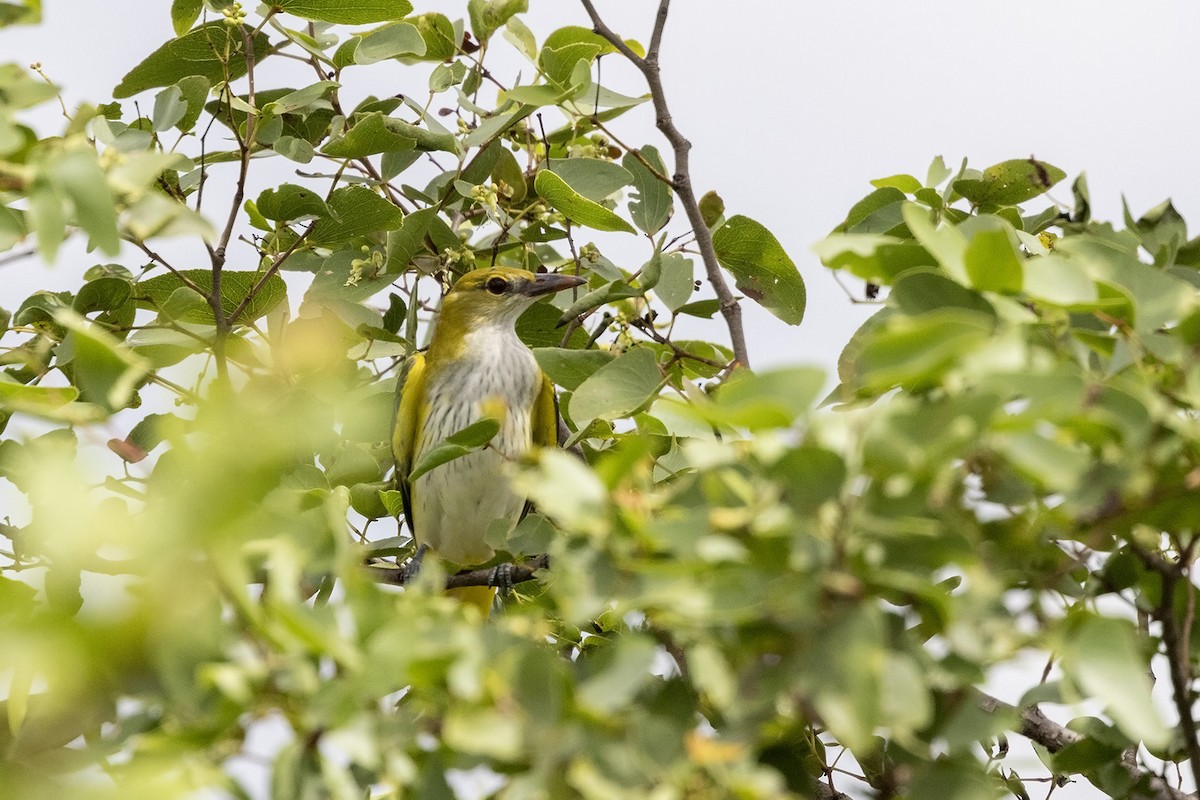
<point>236,287</point>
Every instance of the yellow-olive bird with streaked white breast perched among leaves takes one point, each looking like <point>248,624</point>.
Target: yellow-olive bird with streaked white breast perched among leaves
<point>476,368</point>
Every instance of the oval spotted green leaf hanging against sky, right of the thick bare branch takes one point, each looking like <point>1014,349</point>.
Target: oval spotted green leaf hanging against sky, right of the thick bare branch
<point>761,268</point>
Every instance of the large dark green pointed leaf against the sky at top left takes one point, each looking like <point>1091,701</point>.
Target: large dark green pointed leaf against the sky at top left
<point>197,53</point>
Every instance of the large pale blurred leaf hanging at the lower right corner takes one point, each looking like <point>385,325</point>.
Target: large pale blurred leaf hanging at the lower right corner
<point>1105,658</point>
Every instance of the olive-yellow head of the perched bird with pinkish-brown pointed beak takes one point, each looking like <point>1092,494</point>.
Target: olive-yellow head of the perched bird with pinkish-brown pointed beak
<point>495,297</point>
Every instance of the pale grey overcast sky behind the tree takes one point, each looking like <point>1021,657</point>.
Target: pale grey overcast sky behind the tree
<point>794,106</point>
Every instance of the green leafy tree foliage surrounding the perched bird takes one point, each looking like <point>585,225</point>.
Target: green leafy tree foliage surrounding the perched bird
<point>755,587</point>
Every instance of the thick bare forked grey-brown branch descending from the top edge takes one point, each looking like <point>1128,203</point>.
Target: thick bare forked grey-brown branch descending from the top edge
<point>682,181</point>
